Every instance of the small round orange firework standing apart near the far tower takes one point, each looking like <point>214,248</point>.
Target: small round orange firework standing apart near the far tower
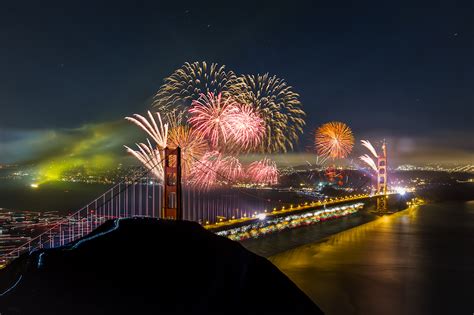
<point>334,140</point>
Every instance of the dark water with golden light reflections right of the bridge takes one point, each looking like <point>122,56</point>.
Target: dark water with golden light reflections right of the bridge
<point>417,261</point>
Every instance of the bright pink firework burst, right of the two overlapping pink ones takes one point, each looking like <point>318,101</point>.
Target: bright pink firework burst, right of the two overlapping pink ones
<point>248,127</point>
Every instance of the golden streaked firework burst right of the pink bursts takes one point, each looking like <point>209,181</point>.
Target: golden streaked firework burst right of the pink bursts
<point>279,107</point>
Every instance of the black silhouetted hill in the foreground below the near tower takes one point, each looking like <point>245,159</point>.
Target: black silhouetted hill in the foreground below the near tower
<point>148,266</point>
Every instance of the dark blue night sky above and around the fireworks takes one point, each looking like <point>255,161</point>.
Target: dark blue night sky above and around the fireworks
<point>394,71</point>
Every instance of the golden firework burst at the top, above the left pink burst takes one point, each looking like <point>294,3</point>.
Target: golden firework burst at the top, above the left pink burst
<point>190,81</point>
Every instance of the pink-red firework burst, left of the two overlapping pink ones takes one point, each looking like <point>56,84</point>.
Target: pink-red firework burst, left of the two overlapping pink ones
<point>212,116</point>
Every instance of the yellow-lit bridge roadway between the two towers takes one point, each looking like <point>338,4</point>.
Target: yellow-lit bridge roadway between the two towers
<point>233,222</point>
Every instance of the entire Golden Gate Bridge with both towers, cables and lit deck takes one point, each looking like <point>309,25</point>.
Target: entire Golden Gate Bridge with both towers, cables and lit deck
<point>227,212</point>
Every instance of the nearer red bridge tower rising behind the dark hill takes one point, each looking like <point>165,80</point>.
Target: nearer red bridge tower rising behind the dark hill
<point>172,206</point>
